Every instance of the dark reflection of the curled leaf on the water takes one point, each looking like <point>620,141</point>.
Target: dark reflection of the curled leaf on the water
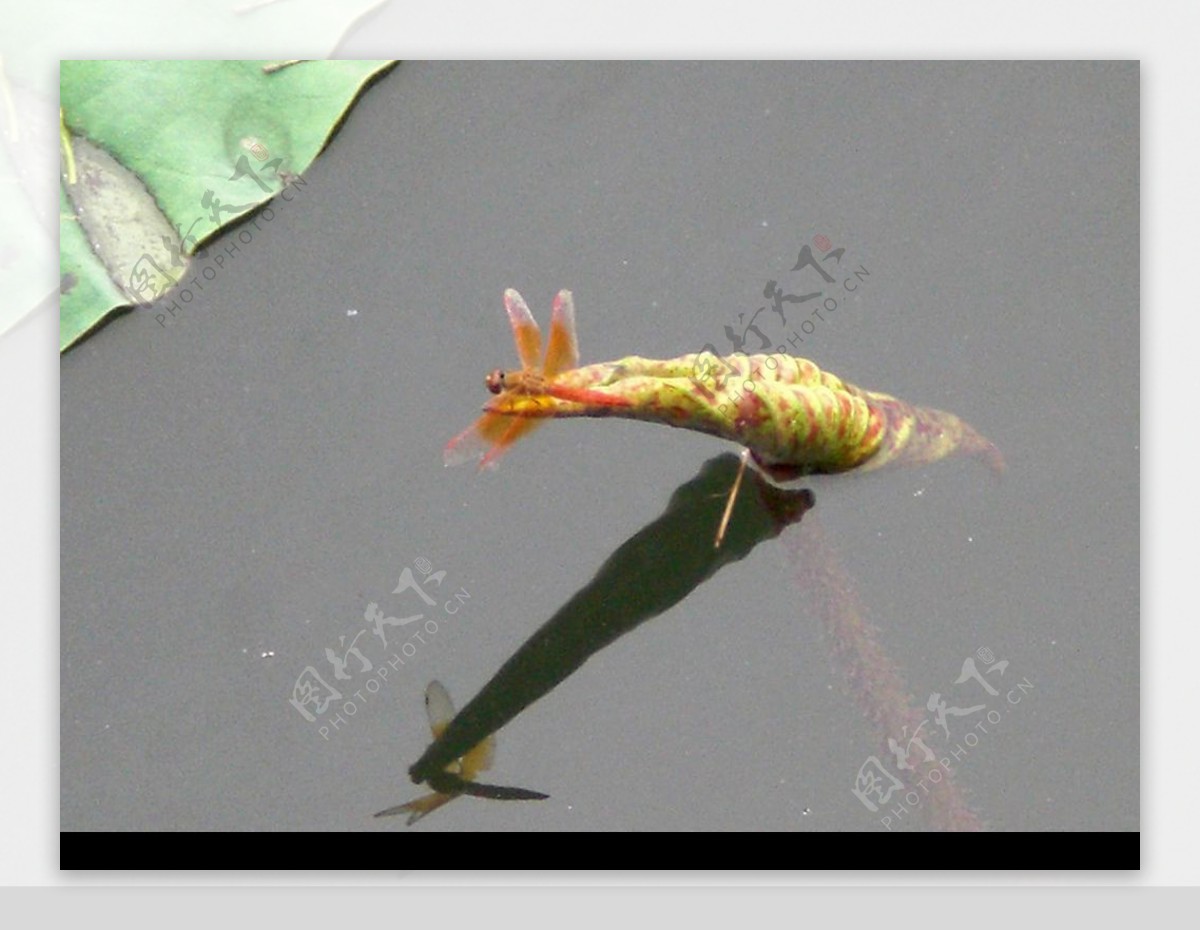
<point>649,574</point>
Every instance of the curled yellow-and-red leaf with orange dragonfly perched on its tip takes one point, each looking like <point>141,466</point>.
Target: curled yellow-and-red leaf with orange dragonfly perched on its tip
<point>791,418</point>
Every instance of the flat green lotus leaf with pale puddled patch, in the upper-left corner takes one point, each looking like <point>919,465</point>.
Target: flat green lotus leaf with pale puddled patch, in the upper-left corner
<point>160,157</point>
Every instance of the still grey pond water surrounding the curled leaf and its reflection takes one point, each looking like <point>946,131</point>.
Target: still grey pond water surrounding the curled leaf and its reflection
<point>241,484</point>
